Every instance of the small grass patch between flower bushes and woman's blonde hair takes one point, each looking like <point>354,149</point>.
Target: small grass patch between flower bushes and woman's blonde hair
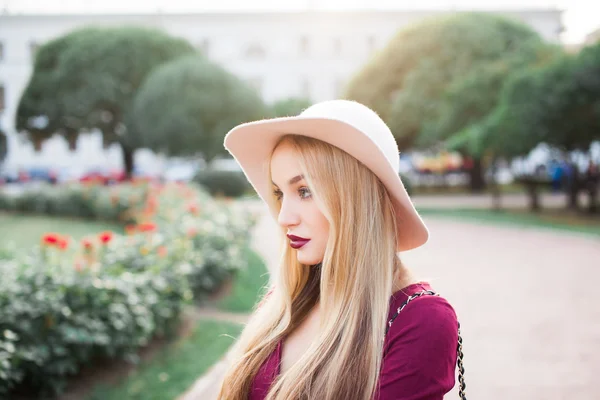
<point>247,285</point>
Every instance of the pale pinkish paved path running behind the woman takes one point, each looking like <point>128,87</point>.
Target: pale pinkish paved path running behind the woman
<point>526,298</point>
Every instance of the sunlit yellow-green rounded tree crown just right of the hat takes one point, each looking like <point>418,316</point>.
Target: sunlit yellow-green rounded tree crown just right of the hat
<point>405,82</point>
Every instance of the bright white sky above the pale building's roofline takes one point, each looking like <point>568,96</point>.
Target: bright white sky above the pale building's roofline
<point>580,16</point>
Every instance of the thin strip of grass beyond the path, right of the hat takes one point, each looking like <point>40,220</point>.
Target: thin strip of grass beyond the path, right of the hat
<point>550,219</point>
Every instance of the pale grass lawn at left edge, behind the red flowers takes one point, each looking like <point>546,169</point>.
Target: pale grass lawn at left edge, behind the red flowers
<point>27,230</point>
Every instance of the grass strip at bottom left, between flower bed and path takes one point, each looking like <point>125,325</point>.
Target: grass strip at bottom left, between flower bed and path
<point>176,367</point>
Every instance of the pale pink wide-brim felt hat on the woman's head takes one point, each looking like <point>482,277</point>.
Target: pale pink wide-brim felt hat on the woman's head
<point>348,125</point>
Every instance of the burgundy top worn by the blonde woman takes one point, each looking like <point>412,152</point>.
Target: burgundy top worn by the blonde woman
<point>419,352</point>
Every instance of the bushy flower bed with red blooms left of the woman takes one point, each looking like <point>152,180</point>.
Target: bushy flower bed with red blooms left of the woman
<point>63,303</point>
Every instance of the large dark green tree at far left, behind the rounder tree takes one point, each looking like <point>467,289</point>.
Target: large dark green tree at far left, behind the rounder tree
<point>87,80</point>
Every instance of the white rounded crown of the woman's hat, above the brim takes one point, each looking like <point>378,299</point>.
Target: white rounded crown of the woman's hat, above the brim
<point>362,118</point>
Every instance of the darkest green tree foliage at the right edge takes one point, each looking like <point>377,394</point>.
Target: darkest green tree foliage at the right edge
<point>558,104</point>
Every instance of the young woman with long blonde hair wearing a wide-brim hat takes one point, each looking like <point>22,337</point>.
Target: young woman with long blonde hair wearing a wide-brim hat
<point>330,179</point>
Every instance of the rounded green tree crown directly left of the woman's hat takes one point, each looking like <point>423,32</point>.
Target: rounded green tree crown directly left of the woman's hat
<point>188,105</point>
